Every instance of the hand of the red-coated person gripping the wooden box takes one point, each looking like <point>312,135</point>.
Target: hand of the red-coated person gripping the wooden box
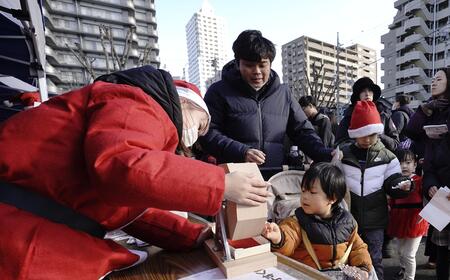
<point>244,188</point>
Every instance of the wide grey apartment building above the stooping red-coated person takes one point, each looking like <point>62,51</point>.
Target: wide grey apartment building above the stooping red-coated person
<point>72,23</point>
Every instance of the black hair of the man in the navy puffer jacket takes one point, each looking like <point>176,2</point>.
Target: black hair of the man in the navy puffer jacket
<point>252,46</point>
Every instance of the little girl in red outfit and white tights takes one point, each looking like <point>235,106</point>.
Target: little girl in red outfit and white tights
<point>405,223</point>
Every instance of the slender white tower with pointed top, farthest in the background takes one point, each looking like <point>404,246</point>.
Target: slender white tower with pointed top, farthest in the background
<point>205,35</point>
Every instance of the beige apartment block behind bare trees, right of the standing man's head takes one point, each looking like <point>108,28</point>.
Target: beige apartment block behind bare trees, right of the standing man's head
<point>300,56</point>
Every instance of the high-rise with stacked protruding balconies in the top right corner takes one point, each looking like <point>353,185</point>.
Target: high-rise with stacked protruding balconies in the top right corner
<point>416,44</point>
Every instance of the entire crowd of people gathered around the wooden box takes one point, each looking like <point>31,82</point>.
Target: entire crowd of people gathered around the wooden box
<point>120,153</point>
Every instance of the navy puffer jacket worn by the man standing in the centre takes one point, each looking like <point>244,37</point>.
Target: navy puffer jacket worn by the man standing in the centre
<point>242,118</point>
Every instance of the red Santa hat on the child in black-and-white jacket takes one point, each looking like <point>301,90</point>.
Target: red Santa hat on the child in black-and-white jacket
<point>365,120</point>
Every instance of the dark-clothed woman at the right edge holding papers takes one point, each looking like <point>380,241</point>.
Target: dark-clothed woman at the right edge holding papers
<point>430,124</point>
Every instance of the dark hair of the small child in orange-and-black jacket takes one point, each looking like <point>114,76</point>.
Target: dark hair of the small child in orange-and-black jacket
<point>331,179</point>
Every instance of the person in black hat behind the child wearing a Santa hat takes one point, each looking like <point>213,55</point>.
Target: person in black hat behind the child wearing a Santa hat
<point>365,89</point>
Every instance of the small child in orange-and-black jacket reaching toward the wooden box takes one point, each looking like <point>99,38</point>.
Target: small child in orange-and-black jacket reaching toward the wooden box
<point>321,224</point>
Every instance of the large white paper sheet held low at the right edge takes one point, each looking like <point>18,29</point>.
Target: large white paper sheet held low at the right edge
<point>437,211</point>
